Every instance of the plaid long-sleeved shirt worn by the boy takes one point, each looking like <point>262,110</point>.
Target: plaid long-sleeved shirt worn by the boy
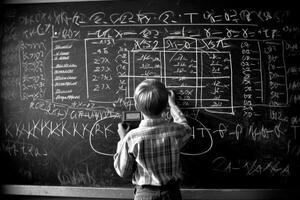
<point>151,152</point>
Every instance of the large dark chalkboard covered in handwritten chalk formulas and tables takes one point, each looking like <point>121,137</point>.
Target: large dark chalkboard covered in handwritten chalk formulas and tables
<point>68,70</point>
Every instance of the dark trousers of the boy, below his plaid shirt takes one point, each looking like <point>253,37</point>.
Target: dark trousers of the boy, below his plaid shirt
<point>148,192</point>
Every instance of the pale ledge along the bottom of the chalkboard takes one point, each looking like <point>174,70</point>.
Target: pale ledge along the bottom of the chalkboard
<point>61,192</point>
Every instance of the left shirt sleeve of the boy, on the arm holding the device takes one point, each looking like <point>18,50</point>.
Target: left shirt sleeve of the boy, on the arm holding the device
<point>123,160</point>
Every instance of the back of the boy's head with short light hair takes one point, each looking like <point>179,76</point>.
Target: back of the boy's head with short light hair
<point>151,97</point>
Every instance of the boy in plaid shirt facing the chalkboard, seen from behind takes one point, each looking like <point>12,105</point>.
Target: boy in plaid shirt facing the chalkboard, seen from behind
<point>151,152</point>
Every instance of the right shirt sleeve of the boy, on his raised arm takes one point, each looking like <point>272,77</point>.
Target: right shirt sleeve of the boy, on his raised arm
<point>179,118</point>
